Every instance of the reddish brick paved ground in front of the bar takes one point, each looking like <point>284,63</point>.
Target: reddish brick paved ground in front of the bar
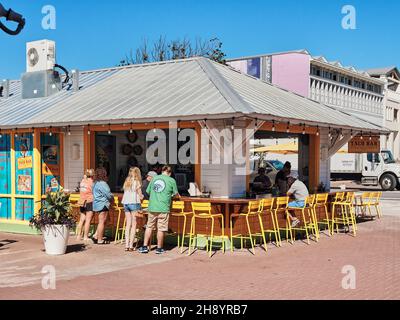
<point>291,272</point>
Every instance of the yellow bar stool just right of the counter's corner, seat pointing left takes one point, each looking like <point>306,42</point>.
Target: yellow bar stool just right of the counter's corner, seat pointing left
<point>253,212</point>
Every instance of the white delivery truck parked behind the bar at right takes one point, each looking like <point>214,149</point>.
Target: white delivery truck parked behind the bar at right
<point>371,169</point>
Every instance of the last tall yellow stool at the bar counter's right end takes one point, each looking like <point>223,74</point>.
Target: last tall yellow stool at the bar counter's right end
<point>347,213</point>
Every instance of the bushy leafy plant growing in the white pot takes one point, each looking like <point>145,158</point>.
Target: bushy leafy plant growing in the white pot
<point>55,209</point>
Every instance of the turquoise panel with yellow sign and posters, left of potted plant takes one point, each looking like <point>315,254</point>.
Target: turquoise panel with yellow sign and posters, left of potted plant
<point>23,145</point>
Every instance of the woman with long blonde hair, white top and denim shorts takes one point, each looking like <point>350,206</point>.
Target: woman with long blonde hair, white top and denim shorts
<point>131,201</point>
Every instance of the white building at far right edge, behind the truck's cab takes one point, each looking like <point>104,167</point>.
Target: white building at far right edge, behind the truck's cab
<point>391,77</point>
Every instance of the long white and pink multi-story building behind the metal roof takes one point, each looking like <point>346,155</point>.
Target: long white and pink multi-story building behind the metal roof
<point>331,83</point>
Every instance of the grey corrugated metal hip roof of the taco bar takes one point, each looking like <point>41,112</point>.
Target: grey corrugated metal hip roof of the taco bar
<point>194,88</point>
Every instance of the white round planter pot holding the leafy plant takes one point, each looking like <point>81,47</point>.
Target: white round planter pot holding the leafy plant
<point>55,239</point>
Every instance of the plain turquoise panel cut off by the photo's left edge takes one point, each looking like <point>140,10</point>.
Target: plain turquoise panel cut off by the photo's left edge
<point>5,176</point>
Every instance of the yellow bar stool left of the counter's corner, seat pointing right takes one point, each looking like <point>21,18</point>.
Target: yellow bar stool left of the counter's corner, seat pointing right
<point>202,211</point>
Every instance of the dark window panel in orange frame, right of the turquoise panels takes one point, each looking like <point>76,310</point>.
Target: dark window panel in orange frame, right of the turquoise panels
<point>50,150</point>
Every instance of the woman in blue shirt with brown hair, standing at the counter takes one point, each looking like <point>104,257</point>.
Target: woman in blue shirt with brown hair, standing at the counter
<point>102,197</point>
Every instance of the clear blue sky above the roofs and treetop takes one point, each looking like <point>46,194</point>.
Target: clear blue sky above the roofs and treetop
<point>98,33</point>
